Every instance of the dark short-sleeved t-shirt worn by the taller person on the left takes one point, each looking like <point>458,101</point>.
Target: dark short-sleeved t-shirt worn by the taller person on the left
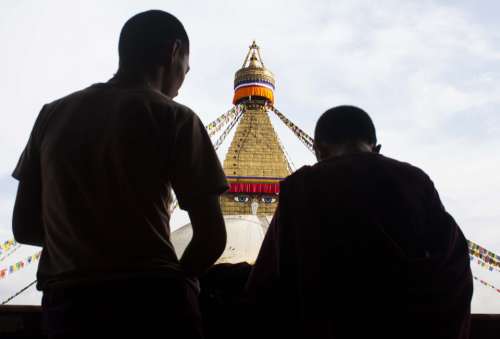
<point>107,158</point>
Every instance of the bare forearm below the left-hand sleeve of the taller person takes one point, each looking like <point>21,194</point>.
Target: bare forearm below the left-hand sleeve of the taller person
<point>27,223</point>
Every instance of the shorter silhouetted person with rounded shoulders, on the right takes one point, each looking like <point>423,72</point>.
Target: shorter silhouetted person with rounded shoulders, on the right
<point>361,247</point>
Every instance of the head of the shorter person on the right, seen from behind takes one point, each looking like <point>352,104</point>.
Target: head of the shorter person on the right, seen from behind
<point>344,129</point>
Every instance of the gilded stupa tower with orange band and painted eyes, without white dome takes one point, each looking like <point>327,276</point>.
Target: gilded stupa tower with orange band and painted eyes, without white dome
<point>255,162</point>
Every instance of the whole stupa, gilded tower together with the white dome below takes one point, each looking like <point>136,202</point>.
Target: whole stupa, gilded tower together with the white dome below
<point>254,164</point>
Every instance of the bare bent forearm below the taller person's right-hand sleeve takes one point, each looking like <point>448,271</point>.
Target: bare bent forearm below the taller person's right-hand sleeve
<point>209,236</point>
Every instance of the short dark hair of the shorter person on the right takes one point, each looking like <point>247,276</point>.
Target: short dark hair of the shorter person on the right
<point>345,124</point>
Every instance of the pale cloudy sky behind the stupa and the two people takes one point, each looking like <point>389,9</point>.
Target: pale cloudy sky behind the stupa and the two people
<point>428,72</point>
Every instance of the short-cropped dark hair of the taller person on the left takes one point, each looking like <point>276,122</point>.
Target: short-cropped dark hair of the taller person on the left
<point>146,37</point>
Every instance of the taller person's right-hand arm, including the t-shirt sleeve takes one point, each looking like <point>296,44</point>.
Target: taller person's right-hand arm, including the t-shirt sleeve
<point>198,180</point>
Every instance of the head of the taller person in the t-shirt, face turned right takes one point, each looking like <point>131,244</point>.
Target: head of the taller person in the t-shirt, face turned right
<point>155,43</point>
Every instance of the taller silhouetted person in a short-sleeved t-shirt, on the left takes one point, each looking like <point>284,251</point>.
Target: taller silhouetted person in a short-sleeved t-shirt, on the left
<point>95,186</point>
